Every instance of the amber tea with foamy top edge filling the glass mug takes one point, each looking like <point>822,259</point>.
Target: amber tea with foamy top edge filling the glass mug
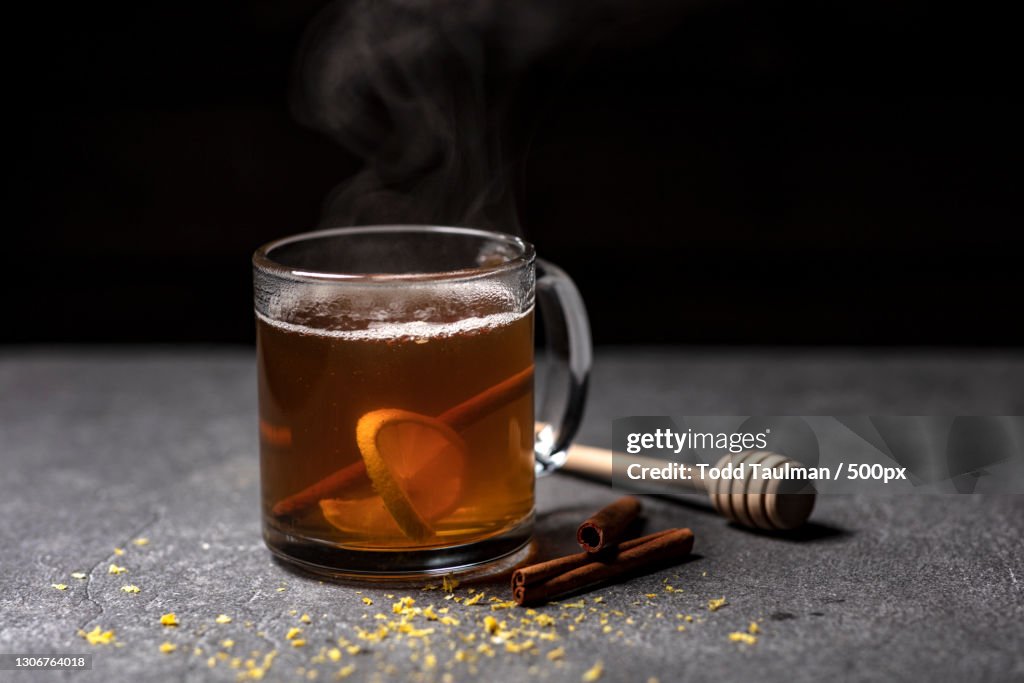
<point>316,385</point>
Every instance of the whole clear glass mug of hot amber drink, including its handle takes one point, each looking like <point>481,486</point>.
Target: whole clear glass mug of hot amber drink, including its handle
<point>396,371</point>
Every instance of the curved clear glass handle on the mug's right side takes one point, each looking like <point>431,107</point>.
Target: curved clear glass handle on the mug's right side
<point>570,355</point>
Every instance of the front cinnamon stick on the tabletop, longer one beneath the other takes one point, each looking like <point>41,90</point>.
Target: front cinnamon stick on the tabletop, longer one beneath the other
<point>670,546</point>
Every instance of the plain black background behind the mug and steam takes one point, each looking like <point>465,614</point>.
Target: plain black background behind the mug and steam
<point>753,173</point>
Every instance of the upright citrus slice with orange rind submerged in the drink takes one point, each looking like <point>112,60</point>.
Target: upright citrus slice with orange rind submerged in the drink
<point>417,465</point>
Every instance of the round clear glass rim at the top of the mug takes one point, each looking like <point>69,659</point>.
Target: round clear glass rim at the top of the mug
<point>264,262</point>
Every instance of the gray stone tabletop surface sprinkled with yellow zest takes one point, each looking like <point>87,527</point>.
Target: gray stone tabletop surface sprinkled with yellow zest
<point>103,447</point>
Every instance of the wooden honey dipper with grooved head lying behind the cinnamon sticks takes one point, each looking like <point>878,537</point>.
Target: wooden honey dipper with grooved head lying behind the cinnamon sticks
<point>765,504</point>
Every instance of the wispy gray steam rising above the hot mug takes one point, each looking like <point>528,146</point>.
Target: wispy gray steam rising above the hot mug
<point>419,91</point>
